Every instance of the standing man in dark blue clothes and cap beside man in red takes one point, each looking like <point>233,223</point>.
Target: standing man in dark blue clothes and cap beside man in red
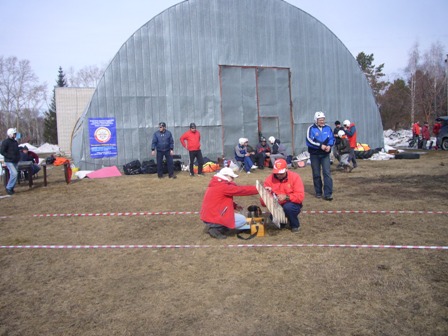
<point>163,143</point>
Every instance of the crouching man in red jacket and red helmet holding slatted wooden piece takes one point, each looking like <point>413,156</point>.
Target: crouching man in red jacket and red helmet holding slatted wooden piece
<point>290,192</point>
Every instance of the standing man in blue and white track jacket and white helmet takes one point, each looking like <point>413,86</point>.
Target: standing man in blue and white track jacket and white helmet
<point>320,139</point>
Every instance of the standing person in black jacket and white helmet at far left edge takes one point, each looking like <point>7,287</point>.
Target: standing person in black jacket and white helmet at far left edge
<point>11,153</point>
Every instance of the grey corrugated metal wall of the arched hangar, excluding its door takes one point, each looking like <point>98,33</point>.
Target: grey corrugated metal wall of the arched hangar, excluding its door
<point>169,70</point>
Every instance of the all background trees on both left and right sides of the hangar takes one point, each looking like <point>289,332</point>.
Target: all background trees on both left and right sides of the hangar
<point>420,94</point>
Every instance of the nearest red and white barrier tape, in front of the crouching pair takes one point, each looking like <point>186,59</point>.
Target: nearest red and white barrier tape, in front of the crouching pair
<point>176,246</point>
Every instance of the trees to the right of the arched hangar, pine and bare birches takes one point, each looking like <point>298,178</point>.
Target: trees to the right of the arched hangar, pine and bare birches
<point>420,94</point>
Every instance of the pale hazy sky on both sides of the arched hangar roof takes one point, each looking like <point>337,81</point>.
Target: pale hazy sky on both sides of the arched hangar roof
<point>78,33</point>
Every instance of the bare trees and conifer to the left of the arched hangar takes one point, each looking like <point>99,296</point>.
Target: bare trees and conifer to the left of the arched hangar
<point>24,101</point>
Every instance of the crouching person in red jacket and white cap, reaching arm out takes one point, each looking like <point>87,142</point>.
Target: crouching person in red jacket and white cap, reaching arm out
<point>218,208</point>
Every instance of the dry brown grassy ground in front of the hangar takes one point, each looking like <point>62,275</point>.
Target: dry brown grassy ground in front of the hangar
<point>216,288</point>
